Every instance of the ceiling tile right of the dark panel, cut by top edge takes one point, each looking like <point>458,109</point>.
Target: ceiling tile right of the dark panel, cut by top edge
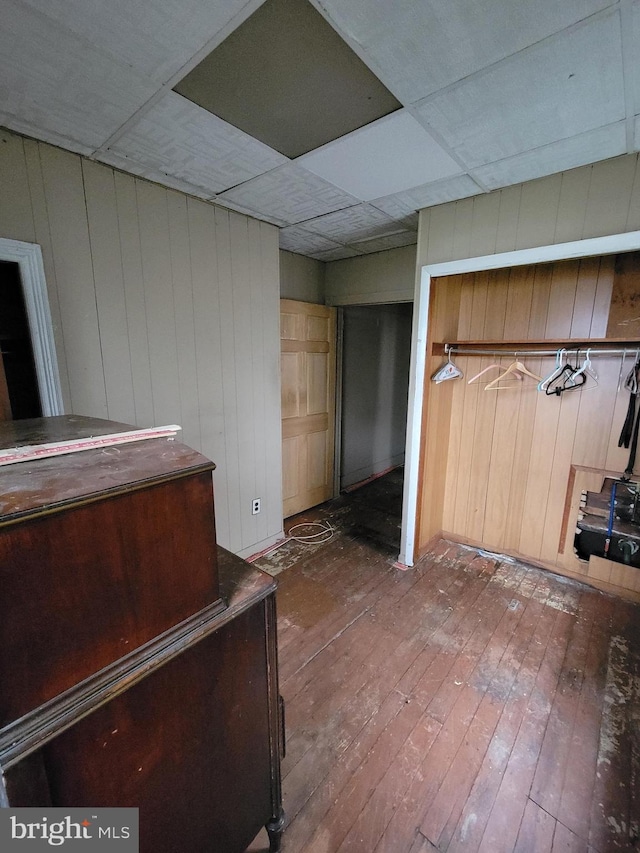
<point>417,48</point>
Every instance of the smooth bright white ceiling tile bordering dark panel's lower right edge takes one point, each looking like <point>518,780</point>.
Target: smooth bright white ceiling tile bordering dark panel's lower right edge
<point>384,157</point>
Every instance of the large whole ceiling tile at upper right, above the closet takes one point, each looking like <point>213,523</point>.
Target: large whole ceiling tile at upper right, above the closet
<point>563,87</point>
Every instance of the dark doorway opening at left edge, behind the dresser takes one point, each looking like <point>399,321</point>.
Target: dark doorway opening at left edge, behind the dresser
<point>15,344</point>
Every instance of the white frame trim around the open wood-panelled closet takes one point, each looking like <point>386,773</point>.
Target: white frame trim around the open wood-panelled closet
<point>590,247</point>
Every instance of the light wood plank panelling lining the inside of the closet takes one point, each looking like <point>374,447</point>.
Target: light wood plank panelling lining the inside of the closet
<point>500,468</point>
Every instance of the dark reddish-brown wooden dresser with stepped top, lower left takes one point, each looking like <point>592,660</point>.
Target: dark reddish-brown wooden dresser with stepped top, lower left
<point>138,660</point>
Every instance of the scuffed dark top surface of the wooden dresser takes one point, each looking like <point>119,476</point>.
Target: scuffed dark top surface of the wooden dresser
<point>51,483</point>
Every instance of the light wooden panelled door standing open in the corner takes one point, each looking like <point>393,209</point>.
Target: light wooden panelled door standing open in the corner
<point>308,356</point>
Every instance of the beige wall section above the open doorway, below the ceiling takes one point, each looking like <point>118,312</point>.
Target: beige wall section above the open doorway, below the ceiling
<point>377,278</point>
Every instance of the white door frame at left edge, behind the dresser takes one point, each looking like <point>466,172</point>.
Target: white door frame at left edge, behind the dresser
<point>28,256</point>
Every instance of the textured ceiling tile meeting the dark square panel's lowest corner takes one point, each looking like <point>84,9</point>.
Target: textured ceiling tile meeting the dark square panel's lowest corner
<point>288,195</point>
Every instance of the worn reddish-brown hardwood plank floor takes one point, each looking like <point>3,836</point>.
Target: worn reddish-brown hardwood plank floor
<point>472,703</point>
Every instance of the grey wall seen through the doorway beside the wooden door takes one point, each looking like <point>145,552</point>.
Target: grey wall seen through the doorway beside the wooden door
<point>376,353</point>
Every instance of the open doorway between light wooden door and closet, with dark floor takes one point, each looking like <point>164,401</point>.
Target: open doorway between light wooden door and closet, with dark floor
<point>375,354</point>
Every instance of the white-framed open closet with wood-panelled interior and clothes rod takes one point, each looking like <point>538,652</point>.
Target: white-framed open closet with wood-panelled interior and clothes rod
<point>501,469</point>
